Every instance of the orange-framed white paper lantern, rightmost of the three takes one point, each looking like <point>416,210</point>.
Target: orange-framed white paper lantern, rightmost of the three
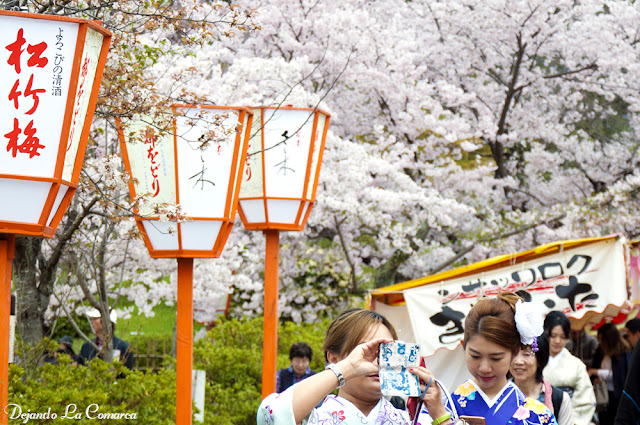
<point>283,167</point>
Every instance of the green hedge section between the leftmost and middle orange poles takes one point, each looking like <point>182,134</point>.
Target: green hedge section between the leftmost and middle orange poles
<point>100,387</point>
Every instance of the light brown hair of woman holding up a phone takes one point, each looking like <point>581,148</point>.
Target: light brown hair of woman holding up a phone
<point>350,328</point>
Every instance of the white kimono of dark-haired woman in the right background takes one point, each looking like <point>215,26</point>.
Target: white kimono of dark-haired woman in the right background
<point>566,370</point>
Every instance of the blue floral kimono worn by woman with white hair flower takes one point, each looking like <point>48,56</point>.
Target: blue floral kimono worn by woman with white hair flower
<point>510,407</point>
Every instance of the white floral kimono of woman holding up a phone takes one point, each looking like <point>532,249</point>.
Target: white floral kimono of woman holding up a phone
<point>277,409</point>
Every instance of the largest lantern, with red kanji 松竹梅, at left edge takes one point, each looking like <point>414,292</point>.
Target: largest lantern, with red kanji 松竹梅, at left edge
<point>50,69</point>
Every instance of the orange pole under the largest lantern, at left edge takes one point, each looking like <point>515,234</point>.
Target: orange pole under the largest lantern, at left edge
<point>7,249</point>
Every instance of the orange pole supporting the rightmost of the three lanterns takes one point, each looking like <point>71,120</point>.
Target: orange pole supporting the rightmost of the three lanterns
<point>271,287</point>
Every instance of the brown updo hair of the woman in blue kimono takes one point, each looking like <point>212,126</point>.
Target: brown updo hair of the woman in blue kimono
<point>493,319</point>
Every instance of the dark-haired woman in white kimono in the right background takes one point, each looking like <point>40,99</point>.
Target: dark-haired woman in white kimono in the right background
<point>566,371</point>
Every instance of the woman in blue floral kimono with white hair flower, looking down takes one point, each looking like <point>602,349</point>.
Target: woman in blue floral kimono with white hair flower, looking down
<point>494,331</point>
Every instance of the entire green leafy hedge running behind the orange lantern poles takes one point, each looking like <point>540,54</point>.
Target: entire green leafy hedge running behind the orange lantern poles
<point>231,355</point>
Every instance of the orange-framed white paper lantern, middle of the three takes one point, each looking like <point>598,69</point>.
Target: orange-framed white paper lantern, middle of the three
<point>198,166</point>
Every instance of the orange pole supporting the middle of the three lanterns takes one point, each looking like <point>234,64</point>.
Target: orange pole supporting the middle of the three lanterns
<point>184,342</point>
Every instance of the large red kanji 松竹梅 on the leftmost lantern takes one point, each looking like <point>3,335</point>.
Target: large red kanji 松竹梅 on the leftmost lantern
<point>29,144</point>
